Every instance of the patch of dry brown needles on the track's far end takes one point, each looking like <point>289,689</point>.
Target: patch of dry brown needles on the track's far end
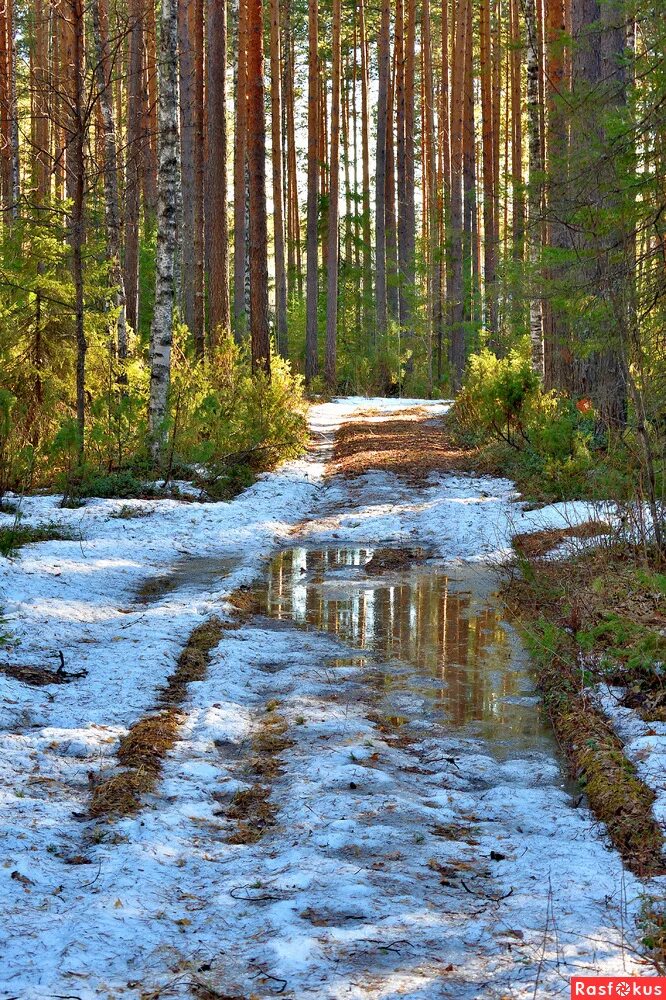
<point>410,447</point>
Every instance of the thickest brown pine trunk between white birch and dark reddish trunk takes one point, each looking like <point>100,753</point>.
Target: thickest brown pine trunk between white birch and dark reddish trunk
<point>217,223</point>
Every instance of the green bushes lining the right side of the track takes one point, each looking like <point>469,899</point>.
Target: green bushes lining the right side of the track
<point>552,446</point>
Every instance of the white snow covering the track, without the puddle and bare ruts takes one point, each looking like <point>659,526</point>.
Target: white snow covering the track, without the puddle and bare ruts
<point>353,892</point>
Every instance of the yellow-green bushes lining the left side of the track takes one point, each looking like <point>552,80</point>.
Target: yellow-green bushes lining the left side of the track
<point>224,425</point>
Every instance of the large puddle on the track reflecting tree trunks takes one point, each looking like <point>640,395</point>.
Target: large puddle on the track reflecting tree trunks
<point>431,636</point>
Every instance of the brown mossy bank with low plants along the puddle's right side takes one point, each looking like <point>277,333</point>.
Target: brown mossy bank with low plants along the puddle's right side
<point>599,618</point>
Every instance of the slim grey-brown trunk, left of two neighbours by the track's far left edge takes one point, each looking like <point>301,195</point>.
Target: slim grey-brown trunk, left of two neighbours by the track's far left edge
<point>312,284</point>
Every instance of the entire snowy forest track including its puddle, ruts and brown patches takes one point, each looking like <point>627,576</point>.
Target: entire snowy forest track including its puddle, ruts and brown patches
<point>304,755</point>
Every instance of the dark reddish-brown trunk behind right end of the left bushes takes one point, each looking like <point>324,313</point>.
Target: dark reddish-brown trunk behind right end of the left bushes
<point>256,154</point>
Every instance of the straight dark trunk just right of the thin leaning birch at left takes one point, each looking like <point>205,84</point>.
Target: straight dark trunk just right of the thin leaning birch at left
<point>134,161</point>
